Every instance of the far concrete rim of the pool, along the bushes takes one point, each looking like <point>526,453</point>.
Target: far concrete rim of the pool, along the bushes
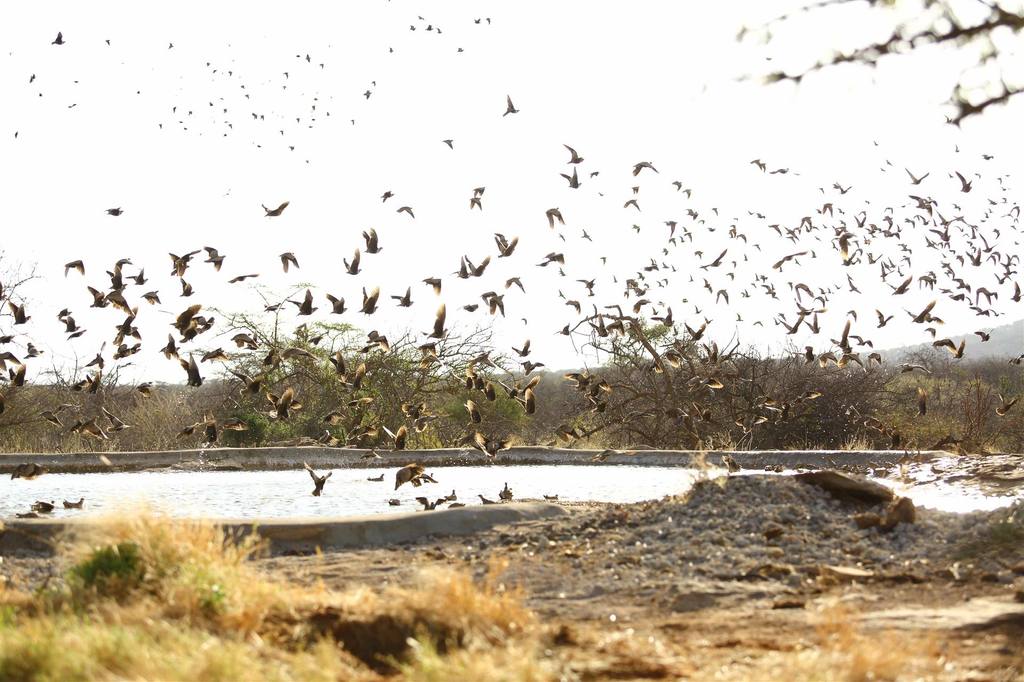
<point>255,459</point>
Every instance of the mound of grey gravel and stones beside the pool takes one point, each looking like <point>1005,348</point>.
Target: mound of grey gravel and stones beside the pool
<point>757,530</point>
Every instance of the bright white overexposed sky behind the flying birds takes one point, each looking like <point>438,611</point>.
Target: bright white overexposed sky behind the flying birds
<point>621,82</point>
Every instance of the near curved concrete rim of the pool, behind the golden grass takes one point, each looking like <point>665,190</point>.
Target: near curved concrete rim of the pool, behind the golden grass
<point>307,535</point>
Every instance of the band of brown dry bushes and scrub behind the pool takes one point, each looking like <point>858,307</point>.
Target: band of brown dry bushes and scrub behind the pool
<point>657,400</point>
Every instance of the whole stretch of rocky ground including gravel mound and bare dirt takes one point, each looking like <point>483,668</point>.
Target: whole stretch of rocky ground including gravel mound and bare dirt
<point>742,579</point>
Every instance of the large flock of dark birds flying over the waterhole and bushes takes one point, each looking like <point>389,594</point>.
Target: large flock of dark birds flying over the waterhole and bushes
<point>929,245</point>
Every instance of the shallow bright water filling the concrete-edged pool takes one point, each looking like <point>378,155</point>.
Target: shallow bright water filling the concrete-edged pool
<point>287,494</point>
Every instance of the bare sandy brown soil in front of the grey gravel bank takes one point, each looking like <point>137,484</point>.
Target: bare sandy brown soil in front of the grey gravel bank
<point>724,630</point>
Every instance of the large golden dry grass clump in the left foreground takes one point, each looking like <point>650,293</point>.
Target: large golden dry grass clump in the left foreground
<point>150,599</point>
